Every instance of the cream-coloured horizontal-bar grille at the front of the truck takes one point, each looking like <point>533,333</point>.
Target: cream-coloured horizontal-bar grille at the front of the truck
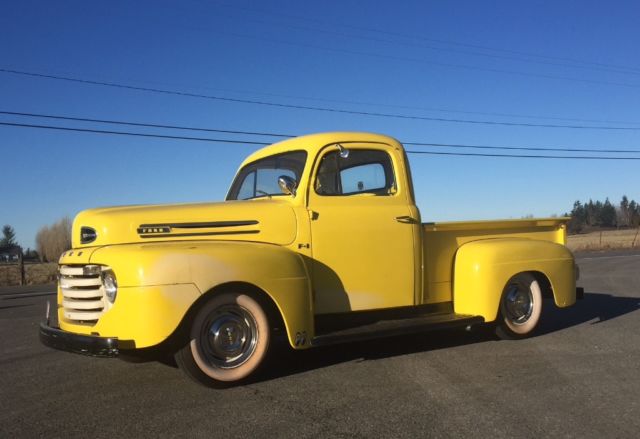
<point>83,296</point>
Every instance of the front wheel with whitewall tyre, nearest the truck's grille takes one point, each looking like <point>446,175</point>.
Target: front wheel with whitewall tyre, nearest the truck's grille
<point>228,341</point>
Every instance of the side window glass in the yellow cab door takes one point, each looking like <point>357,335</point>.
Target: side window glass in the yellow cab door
<point>364,171</point>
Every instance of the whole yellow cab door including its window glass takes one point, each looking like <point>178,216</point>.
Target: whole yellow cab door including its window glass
<point>362,232</point>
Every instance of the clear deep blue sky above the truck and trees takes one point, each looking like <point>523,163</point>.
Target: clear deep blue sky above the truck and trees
<point>539,62</point>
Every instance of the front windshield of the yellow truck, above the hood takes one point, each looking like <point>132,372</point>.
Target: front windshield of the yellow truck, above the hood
<point>260,178</point>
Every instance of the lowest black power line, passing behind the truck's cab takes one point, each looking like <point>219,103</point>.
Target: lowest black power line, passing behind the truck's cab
<point>206,139</point>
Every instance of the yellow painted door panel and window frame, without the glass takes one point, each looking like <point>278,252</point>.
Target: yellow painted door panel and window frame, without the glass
<point>362,255</point>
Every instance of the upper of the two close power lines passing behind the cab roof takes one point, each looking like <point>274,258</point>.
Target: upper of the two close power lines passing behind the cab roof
<point>217,130</point>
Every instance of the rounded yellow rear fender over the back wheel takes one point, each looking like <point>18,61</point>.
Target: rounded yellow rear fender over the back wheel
<point>483,268</point>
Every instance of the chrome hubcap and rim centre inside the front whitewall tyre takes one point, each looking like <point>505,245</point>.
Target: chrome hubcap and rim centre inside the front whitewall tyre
<point>229,336</point>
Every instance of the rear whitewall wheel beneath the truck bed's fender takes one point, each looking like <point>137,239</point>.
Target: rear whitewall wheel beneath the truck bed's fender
<point>520,307</point>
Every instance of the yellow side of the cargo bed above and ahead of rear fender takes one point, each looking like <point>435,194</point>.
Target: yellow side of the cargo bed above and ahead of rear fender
<point>442,240</point>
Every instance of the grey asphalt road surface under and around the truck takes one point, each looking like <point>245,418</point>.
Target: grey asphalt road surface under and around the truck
<point>579,377</point>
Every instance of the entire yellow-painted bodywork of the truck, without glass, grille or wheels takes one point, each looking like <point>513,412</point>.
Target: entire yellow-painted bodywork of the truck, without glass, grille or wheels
<point>310,254</point>
